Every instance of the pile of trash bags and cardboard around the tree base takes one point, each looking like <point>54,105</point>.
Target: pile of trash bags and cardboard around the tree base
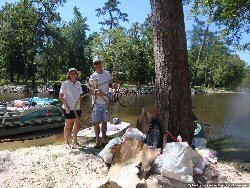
<point>138,159</point>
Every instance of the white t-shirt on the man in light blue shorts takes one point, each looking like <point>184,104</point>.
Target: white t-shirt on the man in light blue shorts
<point>103,81</point>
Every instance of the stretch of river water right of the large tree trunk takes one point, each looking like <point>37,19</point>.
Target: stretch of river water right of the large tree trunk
<point>228,113</point>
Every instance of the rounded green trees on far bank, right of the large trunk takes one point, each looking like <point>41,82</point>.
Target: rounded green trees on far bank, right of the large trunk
<point>218,67</point>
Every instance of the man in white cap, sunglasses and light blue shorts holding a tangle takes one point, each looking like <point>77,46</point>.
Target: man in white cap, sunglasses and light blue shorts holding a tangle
<point>101,111</point>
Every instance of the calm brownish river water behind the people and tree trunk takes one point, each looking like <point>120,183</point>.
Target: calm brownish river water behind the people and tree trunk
<point>227,114</point>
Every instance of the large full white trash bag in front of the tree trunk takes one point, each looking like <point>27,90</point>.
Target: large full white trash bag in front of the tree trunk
<point>178,161</point>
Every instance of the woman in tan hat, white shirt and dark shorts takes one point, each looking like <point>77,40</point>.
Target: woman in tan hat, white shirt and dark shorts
<point>69,95</point>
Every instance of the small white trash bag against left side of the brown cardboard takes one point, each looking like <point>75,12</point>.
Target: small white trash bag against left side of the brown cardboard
<point>106,153</point>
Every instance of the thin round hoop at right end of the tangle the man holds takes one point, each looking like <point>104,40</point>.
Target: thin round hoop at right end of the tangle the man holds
<point>127,97</point>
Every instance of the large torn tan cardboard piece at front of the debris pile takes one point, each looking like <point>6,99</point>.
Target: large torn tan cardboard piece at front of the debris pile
<point>132,162</point>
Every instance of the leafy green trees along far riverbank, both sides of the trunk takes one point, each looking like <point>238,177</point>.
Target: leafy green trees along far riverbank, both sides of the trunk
<point>35,45</point>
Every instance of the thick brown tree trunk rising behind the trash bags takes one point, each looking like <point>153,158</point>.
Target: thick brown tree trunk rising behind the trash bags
<point>173,93</point>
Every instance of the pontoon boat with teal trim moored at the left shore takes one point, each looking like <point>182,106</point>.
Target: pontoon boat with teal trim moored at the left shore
<point>29,115</point>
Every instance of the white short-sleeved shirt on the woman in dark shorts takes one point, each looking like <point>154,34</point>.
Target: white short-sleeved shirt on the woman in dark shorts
<point>72,92</point>
